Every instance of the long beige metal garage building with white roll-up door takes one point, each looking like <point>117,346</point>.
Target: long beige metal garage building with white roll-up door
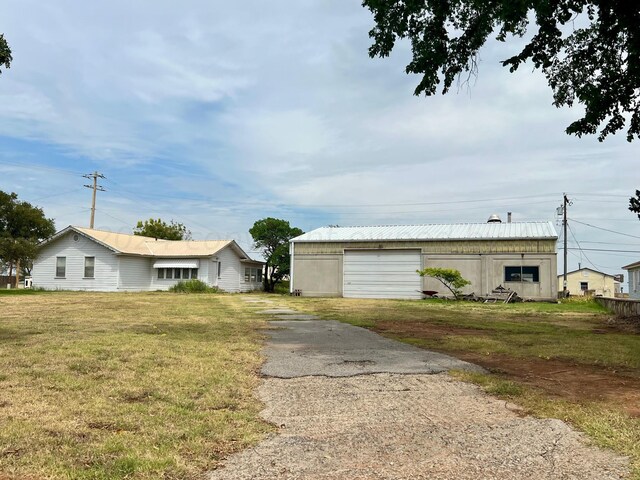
<point>381,261</point>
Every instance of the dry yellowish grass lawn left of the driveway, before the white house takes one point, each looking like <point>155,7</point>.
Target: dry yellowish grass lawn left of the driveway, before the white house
<point>138,385</point>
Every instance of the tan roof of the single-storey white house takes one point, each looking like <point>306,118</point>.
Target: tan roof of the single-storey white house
<point>147,246</point>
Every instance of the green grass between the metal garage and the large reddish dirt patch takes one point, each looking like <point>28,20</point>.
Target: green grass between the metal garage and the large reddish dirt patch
<point>563,331</point>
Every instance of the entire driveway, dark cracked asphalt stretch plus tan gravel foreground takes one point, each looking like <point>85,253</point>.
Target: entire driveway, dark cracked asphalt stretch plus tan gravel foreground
<point>352,405</point>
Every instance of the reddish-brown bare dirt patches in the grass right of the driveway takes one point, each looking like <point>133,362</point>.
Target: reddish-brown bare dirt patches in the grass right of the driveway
<point>562,379</point>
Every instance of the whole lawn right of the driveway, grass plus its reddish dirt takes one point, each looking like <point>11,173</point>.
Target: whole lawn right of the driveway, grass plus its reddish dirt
<point>567,361</point>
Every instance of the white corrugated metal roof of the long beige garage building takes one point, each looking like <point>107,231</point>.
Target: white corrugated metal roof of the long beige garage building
<point>457,231</point>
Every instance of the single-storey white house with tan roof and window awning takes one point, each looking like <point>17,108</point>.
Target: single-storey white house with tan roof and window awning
<point>86,259</point>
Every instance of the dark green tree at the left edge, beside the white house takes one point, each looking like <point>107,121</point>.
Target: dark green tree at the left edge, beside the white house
<point>22,227</point>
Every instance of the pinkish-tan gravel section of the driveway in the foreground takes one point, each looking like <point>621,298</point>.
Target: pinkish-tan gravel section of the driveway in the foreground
<point>390,426</point>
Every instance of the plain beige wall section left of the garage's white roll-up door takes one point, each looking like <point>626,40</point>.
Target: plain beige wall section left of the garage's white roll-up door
<point>318,275</point>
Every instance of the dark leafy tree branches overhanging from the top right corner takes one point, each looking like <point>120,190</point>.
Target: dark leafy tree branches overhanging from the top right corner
<point>597,64</point>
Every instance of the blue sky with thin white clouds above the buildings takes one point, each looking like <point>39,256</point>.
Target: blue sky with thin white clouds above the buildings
<point>217,114</point>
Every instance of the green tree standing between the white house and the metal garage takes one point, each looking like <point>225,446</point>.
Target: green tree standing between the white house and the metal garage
<point>272,236</point>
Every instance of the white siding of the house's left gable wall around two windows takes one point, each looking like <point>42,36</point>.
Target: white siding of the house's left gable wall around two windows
<point>105,269</point>
